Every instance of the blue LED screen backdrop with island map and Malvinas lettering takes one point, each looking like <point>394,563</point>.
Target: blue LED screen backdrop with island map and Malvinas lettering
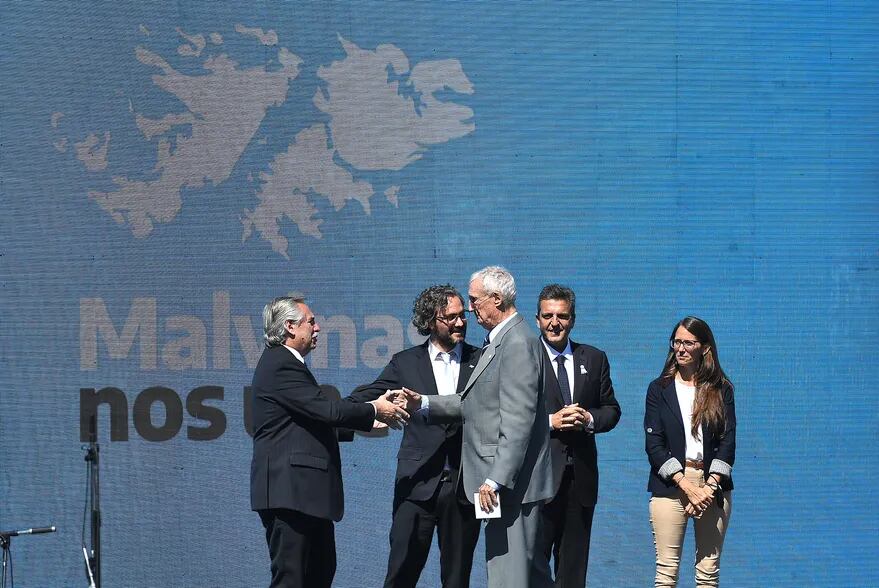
<point>168,167</point>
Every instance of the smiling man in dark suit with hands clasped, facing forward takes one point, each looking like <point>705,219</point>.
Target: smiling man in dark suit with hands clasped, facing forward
<point>581,403</point>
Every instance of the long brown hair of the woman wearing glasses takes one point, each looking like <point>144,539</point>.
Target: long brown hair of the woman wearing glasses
<point>709,377</point>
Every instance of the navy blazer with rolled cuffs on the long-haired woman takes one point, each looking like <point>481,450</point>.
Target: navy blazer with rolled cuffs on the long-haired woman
<point>665,436</point>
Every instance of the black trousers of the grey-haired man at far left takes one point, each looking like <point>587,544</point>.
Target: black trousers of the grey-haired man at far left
<point>302,549</point>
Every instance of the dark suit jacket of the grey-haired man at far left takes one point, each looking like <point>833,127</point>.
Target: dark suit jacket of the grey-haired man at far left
<point>296,463</point>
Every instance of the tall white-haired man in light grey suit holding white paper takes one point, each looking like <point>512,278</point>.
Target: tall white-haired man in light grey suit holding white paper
<point>505,453</point>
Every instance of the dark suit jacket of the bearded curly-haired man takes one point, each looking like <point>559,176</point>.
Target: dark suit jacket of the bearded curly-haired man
<point>424,447</point>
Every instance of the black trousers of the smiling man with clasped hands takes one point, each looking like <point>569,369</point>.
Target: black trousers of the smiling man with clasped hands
<point>567,527</point>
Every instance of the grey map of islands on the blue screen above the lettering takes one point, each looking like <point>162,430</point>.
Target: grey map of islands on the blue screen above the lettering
<point>373,126</point>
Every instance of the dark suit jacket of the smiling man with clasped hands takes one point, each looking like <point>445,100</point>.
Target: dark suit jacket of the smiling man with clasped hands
<point>593,391</point>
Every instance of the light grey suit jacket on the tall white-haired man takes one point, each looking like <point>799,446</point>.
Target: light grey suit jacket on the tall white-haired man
<point>506,428</point>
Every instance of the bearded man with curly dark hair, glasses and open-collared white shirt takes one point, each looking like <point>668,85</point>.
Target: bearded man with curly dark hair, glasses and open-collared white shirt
<point>427,495</point>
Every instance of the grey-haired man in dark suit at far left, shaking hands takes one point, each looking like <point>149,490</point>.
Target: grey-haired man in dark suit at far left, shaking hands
<point>295,474</point>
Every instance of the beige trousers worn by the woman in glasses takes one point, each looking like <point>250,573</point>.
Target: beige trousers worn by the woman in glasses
<point>669,523</point>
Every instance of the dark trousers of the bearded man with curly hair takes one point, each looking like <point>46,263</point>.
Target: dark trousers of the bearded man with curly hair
<point>412,532</point>
